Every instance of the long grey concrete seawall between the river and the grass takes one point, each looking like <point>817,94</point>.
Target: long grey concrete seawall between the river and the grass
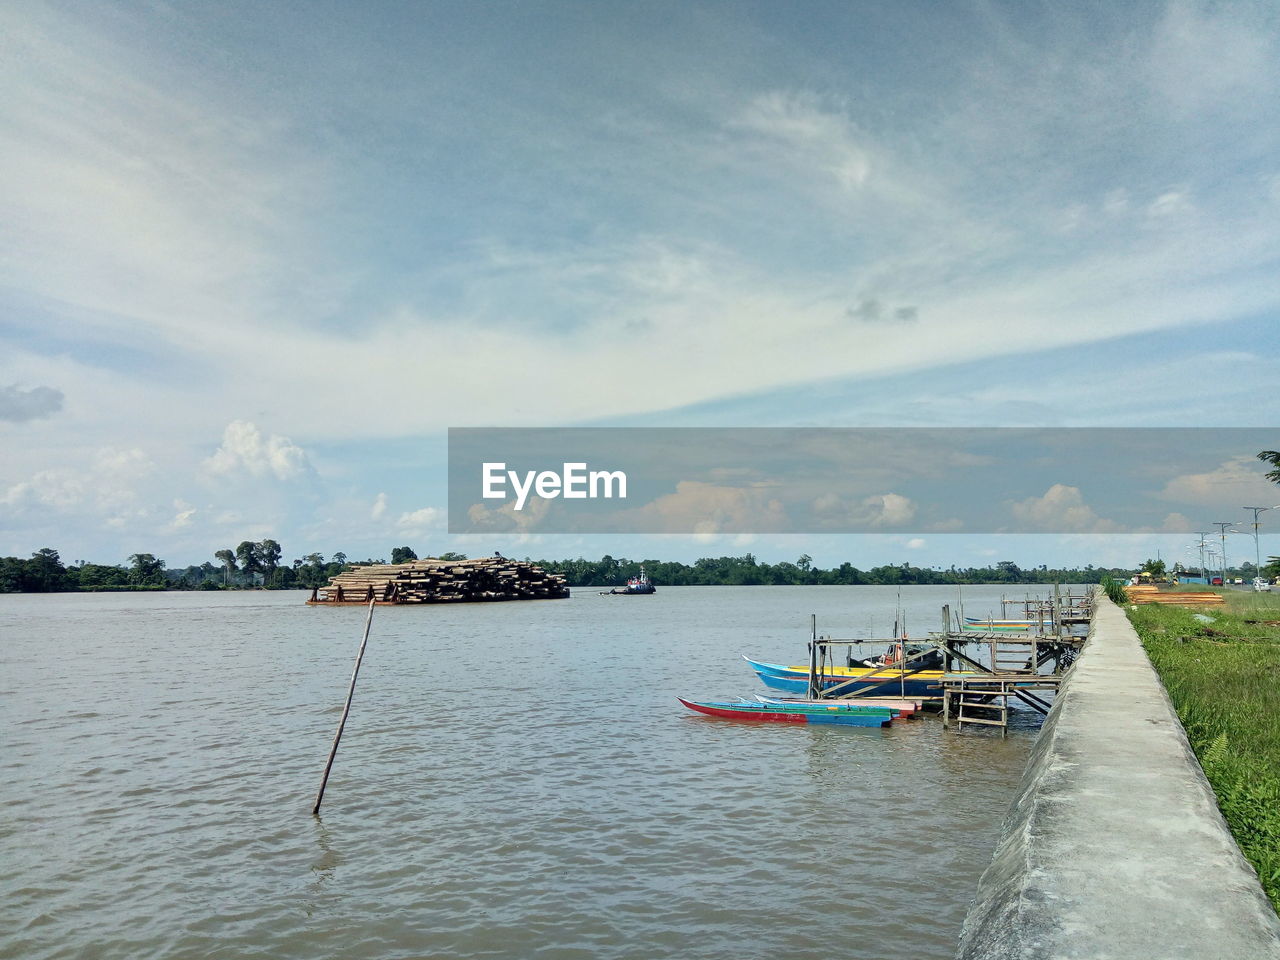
<point>1114,847</point>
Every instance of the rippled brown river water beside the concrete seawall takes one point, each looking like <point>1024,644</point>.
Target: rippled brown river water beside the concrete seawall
<point>516,781</point>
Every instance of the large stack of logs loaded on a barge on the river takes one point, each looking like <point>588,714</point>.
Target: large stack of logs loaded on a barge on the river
<point>444,582</point>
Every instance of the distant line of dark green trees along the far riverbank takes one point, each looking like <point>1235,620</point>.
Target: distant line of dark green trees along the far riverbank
<point>255,566</point>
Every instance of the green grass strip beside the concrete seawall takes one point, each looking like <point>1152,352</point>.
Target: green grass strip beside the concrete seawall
<point>1222,670</point>
